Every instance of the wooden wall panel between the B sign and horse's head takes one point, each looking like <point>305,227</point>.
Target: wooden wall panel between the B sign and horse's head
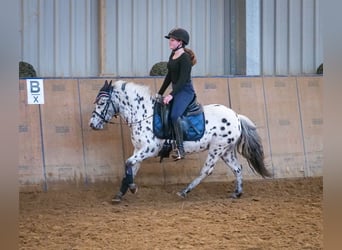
<point>62,131</point>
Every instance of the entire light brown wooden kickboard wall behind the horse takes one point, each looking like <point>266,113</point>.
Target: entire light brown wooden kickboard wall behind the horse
<point>58,147</point>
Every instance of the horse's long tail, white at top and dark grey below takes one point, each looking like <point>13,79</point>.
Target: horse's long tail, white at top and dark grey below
<point>249,146</point>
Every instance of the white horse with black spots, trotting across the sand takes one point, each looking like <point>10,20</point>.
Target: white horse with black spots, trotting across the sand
<point>226,133</point>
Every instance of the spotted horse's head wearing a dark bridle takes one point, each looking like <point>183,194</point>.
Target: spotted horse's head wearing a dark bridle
<point>104,107</point>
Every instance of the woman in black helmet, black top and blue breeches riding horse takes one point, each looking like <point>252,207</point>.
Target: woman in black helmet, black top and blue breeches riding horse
<point>179,68</point>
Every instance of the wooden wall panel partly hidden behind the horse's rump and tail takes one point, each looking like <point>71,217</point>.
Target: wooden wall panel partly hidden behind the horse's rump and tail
<point>247,98</point>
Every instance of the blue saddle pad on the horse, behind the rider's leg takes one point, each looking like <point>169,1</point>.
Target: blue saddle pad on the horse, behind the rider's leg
<point>192,121</point>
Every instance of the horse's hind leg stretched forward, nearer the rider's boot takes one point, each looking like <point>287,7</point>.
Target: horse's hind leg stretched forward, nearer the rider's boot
<point>207,169</point>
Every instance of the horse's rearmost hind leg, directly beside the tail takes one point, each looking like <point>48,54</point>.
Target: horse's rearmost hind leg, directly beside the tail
<point>230,158</point>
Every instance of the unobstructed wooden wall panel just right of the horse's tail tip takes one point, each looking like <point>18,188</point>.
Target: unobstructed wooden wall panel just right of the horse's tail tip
<point>286,139</point>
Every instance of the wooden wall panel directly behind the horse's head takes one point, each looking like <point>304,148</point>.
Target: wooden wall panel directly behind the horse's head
<point>103,150</point>
